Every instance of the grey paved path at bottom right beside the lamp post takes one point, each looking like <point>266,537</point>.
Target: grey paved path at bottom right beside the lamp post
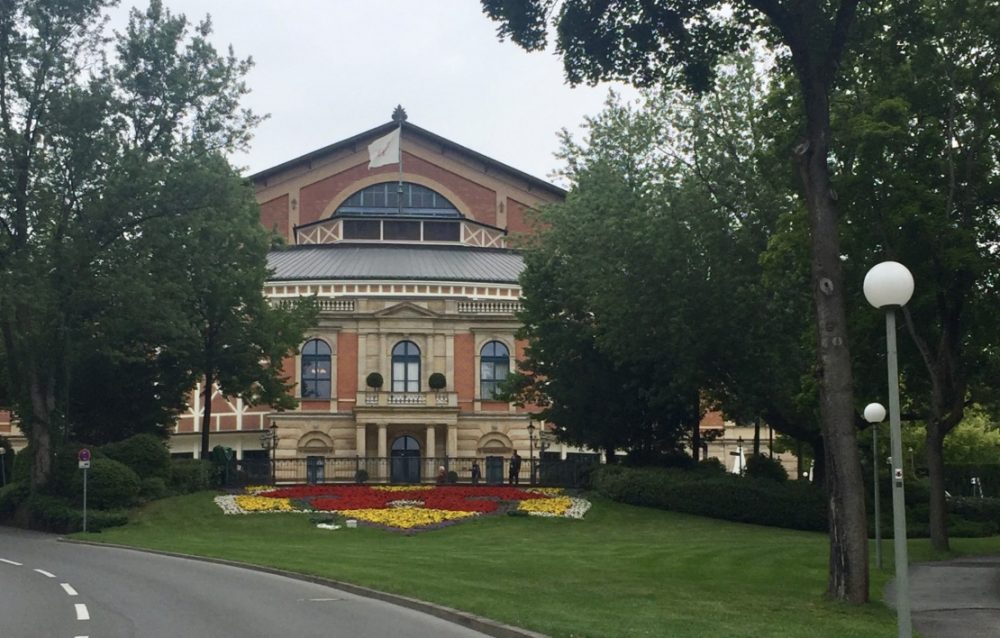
<point>954,599</point>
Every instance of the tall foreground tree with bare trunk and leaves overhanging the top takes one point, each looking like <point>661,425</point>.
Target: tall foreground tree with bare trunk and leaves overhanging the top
<point>679,42</point>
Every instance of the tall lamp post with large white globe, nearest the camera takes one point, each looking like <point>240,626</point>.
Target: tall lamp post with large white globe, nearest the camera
<point>890,285</point>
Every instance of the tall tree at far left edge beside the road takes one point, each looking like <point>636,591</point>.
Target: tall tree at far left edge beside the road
<point>85,148</point>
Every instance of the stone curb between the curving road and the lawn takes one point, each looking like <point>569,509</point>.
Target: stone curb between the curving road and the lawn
<point>461,618</point>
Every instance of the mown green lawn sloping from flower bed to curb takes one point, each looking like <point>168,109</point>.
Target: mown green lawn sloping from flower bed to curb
<point>621,572</point>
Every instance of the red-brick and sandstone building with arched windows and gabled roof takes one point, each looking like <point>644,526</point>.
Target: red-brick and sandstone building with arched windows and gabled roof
<point>410,259</point>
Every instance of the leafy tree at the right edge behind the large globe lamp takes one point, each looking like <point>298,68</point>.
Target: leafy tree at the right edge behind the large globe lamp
<point>921,162</point>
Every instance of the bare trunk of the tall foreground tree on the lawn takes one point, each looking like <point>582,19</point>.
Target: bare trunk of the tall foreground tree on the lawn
<point>848,575</point>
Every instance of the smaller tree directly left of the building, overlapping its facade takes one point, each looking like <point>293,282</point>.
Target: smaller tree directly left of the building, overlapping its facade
<point>214,280</point>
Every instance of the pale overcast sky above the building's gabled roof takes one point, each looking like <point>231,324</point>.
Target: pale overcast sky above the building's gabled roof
<point>329,69</point>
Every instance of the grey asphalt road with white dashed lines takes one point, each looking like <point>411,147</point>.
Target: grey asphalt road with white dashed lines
<point>50,589</point>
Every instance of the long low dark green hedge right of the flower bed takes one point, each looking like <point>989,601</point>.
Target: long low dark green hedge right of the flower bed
<point>793,505</point>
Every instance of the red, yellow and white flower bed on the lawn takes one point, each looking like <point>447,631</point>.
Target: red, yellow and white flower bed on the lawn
<point>405,507</point>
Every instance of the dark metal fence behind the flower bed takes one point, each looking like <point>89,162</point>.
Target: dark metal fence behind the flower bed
<point>494,470</point>
